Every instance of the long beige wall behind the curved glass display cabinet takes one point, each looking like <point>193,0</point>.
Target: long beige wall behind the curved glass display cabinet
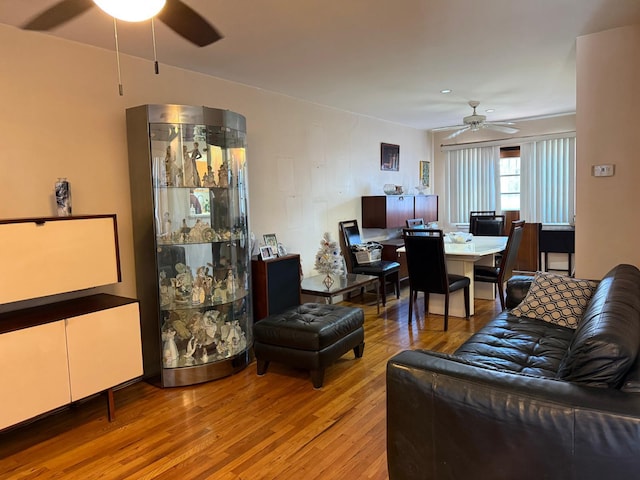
<point>62,117</point>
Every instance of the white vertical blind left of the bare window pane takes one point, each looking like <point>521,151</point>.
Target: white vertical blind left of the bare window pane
<point>473,181</point>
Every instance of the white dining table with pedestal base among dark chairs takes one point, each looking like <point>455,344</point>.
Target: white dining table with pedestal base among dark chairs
<point>460,259</point>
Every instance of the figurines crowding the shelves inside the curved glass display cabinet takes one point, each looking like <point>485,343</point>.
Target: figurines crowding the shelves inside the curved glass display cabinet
<point>203,314</point>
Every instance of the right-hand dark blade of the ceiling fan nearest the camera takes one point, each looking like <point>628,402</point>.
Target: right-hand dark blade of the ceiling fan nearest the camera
<point>187,23</point>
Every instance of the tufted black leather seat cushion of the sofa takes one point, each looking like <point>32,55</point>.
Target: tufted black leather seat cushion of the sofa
<point>520,345</point>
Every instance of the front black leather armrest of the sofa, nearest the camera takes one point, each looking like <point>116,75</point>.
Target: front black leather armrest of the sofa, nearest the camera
<point>448,418</point>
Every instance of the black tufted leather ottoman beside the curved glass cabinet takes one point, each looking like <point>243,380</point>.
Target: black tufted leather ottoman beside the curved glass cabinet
<point>310,336</point>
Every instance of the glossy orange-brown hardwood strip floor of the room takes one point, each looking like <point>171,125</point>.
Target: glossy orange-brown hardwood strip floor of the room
<point>244,426</point>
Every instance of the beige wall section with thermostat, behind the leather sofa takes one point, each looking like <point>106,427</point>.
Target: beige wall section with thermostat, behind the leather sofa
<point>608,102</point>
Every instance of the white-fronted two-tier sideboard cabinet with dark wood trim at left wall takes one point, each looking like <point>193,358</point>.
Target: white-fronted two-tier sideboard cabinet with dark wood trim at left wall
<point>63,351</point>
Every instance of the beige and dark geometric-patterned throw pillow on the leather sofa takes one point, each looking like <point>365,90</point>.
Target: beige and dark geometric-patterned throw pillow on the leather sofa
<point>556,299</point>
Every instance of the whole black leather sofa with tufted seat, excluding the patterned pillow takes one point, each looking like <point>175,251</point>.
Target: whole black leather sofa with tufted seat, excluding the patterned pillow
<point>524,398</point>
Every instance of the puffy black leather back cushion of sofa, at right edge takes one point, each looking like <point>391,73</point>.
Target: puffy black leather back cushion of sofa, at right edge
<point>606,341</point>
